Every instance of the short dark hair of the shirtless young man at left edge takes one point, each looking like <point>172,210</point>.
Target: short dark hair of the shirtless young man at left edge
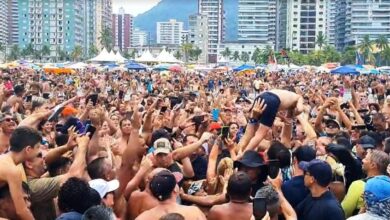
<point>23,137</point>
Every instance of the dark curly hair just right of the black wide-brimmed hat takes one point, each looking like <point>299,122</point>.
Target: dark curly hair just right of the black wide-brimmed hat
<point>277,151</point>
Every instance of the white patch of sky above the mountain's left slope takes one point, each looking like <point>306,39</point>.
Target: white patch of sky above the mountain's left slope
<point>134,7</point>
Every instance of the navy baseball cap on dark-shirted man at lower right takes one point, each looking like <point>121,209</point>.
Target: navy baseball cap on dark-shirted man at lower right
<point>319,169</point>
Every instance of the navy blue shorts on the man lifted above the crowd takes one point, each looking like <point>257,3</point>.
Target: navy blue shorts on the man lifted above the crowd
<point>267,118</point>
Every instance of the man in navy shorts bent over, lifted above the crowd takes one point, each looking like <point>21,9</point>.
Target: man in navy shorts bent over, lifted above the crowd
<point>268,104</point>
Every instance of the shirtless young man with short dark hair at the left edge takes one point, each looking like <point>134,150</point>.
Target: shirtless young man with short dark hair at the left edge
<point>25,143</point>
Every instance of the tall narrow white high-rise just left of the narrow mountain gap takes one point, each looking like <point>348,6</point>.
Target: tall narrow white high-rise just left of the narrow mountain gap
<point>213,9</point>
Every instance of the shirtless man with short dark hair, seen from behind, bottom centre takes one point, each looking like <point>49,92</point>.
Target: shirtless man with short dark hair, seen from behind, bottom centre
<point>239,191</point>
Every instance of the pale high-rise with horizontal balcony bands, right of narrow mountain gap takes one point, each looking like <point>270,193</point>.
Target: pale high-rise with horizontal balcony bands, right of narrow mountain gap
<point>257,21</point>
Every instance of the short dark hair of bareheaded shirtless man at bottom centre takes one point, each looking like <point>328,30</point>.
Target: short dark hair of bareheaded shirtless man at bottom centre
<point>239,186</point>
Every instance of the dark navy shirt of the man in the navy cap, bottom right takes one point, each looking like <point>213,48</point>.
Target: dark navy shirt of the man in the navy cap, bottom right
<point>325,207</point>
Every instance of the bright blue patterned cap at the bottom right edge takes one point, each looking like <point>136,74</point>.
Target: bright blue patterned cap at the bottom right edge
<point>377,195</point>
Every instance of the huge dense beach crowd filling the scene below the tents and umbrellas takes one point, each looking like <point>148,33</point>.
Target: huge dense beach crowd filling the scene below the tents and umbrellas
<point>216,145</point>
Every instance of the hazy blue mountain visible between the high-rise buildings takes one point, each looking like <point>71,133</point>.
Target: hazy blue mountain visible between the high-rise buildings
<point>181,10</point>
